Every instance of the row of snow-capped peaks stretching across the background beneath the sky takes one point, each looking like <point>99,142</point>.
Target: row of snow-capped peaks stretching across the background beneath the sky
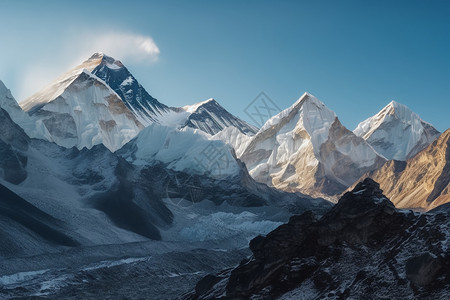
<point>304,148</point>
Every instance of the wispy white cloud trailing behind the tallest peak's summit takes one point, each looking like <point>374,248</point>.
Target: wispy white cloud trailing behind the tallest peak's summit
<point>78,46</point>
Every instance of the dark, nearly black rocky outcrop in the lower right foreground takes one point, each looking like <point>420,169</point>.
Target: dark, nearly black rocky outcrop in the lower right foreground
<point>362,248</point>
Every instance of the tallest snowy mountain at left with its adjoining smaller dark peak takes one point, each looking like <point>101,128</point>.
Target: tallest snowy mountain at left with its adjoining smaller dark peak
<point>100,101</point>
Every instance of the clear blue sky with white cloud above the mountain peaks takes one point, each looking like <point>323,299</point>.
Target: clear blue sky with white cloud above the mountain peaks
<point>355,56</point>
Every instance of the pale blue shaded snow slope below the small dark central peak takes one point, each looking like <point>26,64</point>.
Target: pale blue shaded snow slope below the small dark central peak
<point>186,149</point>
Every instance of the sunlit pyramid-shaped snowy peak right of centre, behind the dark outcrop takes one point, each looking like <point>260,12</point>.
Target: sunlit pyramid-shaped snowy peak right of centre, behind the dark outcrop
<point>305,148</point>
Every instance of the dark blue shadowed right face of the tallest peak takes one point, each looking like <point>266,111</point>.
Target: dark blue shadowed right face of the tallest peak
<point>145,108</point>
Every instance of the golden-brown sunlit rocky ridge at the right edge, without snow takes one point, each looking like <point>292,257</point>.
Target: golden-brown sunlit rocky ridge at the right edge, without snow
<point>422,182</point>
